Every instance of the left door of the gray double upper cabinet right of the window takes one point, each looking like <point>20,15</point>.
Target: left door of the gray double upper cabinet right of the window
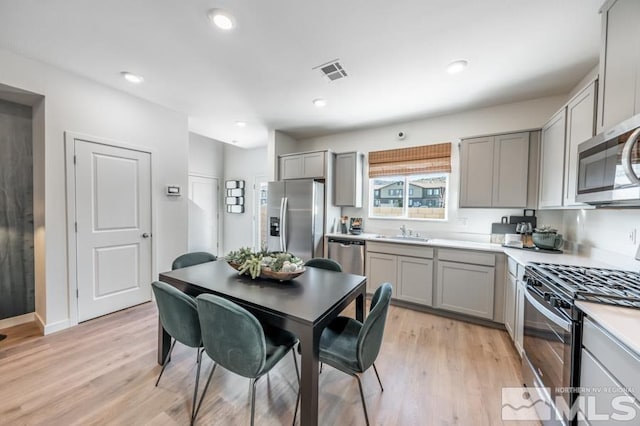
<point>476,174</point>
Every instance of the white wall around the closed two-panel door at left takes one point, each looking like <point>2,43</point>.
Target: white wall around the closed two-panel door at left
<point>79,105</point>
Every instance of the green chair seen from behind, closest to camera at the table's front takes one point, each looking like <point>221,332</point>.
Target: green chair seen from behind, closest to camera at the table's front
<point>235,339</point>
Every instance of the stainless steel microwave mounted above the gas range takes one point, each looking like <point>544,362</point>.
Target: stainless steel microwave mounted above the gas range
<point>609,166</point>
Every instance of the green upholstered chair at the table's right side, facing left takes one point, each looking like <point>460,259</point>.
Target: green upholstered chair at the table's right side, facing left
<point>351,346</point>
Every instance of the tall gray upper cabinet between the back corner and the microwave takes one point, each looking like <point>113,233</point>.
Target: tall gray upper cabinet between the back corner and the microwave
<point>568,128</point>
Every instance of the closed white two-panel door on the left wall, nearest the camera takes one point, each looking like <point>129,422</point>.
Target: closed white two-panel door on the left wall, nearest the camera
<point>113,220</point>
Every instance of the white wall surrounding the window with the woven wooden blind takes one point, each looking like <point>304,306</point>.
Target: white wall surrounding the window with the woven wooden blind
<point>469,224</point>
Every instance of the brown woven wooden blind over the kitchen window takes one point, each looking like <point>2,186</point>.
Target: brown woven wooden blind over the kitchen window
<point>411,161</point>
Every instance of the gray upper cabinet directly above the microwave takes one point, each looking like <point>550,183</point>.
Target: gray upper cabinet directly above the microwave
<point>619,63</point>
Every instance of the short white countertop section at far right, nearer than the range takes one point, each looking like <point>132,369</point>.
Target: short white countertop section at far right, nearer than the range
<point>622,323</point>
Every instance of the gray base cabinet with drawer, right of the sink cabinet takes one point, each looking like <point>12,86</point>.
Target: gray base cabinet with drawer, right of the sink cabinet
<point>468,287</point>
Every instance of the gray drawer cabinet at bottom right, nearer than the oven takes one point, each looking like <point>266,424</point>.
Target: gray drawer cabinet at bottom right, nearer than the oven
<point>608,370</point>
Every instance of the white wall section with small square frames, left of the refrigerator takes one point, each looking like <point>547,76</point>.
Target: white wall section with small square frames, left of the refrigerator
<point>242,164</point>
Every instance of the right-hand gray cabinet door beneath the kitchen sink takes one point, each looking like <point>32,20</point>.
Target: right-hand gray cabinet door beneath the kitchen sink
<point>415,280</point>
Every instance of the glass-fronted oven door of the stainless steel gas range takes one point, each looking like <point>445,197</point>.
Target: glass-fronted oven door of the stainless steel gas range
<point>548,334</point>
